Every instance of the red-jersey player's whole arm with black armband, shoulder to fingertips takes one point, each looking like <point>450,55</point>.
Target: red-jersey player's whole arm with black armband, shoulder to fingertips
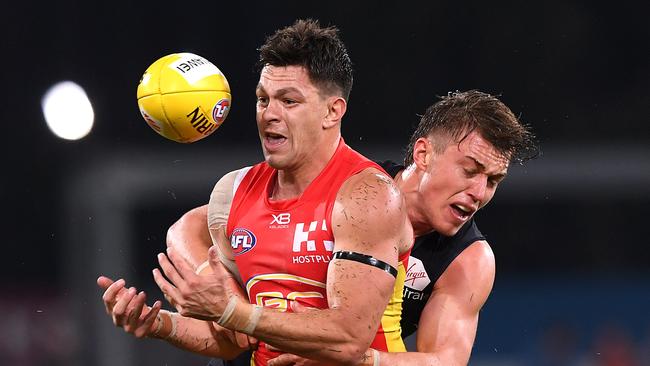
<point>368,218</point>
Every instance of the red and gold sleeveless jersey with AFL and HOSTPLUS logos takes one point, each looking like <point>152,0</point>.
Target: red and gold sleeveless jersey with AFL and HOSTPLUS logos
<point>283,248</point>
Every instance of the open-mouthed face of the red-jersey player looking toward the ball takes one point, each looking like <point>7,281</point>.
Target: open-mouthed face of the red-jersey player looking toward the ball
<point>289,116</point>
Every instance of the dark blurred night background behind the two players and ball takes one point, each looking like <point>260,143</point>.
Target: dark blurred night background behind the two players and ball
<point>568,229</point>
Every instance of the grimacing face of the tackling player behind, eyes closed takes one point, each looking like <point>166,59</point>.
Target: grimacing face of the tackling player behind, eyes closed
<point>460,181</point>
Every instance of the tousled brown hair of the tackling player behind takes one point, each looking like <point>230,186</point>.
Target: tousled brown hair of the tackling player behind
<point>460,113</point>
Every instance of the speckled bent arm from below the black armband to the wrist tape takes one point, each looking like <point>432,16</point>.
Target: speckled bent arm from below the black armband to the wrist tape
<point>342,332</point>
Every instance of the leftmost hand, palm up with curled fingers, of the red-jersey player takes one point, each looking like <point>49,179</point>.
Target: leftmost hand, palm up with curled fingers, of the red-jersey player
<point>127,308</point>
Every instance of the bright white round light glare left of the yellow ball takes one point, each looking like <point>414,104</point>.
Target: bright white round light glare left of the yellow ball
<point>67,110</point>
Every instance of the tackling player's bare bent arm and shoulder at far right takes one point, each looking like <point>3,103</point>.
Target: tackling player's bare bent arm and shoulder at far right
<point>448,323</point>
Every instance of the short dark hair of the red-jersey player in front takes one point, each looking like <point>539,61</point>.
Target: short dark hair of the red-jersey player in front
<point>319,50</point>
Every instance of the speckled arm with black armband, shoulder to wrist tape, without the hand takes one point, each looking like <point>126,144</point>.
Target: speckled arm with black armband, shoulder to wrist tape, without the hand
<point>368,218</point>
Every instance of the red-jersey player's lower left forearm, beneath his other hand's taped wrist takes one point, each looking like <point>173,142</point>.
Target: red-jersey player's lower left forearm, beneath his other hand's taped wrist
<point>196,336</point>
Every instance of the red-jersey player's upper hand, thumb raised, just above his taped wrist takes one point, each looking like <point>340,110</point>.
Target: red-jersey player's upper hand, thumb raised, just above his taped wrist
<point>198,296</point>
